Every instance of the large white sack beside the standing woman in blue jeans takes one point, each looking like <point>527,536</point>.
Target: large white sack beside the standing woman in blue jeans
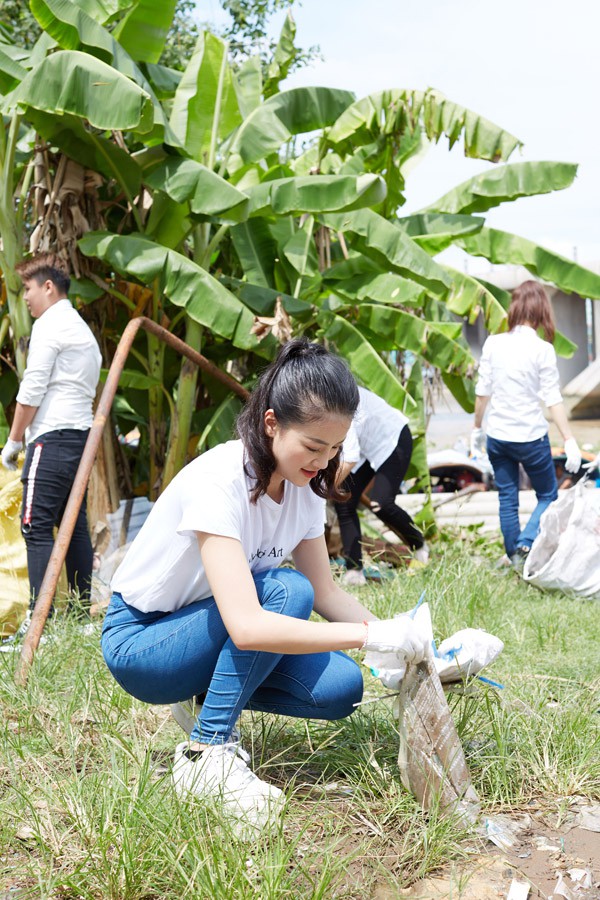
<point>566,553</point>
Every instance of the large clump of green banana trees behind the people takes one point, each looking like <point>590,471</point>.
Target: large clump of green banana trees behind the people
<point>214,219</point>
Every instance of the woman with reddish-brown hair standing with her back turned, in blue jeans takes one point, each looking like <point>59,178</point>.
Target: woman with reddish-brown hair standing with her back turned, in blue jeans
<point>517,373</point>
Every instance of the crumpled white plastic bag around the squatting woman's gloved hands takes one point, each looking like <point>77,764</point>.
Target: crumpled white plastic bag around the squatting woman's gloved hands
<point>460,656</point>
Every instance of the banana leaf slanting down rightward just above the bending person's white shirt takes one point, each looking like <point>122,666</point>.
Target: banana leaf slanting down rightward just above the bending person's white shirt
<point>367,365</point>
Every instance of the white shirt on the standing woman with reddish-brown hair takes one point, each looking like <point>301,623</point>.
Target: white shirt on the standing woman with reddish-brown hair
<point>518,372</point>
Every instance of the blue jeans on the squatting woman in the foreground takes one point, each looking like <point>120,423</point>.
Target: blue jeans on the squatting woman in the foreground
<point>163,657</point>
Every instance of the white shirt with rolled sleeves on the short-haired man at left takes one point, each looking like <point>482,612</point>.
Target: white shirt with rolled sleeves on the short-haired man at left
<point>63,367</point>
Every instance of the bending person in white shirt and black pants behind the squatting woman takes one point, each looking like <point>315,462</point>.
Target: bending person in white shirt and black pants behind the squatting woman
<point>379,447</point>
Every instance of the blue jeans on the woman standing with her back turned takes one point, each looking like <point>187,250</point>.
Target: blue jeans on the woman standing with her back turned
<point>536,458</point>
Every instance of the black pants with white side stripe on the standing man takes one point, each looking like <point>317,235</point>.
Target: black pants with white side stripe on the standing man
<point>48,474</point>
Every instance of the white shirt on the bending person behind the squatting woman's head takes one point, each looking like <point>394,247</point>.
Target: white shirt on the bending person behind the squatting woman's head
<point>374,431</point>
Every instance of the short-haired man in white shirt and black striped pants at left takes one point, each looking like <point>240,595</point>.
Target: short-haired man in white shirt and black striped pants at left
<point>54,414</point>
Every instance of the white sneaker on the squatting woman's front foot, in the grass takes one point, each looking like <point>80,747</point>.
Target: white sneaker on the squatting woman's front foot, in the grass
<point>221,773</point>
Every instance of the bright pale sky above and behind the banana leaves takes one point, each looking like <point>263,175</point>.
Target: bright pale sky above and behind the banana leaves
<point>530,66</point>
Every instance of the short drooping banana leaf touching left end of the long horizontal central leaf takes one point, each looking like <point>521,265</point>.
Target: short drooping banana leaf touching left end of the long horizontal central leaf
<point>187,181</point>
